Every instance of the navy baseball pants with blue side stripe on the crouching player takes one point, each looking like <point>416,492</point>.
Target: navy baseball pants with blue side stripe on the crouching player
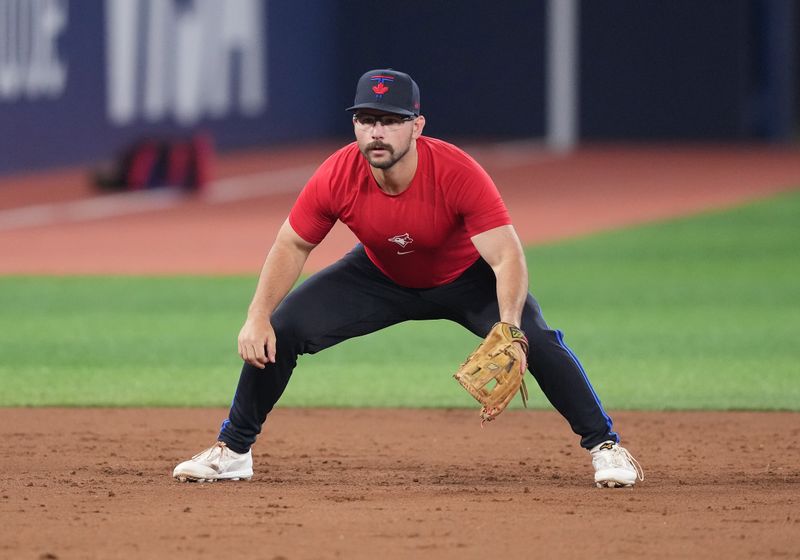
<point>353,297</point>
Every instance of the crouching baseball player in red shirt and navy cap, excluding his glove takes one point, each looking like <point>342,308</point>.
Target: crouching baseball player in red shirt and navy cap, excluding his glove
<point>436,242</point>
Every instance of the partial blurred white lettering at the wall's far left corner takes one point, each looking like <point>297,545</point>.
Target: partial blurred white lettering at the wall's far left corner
<point>30,67</point>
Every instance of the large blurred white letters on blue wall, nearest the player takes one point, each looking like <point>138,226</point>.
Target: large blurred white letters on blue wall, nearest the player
<point>186,60</point>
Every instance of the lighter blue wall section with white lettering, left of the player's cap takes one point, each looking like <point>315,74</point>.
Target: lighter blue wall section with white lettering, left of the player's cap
<point>81,79</point>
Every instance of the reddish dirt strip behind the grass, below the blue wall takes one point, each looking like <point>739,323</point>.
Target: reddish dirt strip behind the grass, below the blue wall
<point>229,228</point>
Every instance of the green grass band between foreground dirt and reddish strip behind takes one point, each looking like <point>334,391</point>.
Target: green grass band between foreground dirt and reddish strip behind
<point>697,313</point>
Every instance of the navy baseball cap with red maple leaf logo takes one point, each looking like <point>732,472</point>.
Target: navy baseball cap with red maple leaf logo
<point>387,90</point>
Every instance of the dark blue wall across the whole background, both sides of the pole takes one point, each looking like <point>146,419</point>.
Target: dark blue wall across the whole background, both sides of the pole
<point>82,79</point>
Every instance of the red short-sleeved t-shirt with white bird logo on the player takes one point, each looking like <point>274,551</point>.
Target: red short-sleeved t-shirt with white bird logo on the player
<point>419,238</point>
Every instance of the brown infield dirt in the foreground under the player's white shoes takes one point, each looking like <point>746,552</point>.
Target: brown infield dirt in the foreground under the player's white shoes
<point>397,484</point>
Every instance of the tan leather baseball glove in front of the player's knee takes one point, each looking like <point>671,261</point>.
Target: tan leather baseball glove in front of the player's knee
<point>495,371</point>
